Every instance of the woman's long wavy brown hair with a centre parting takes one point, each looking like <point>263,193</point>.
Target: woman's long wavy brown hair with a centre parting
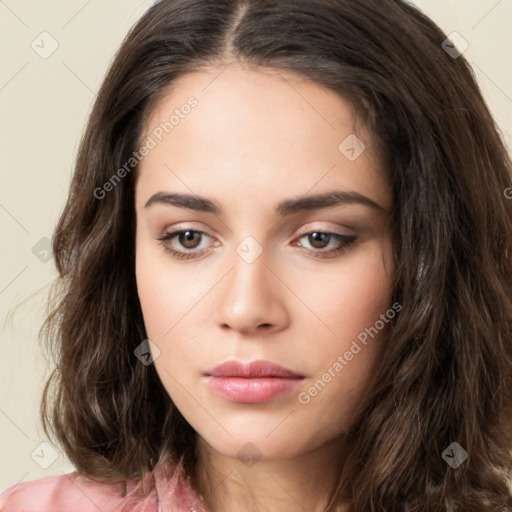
<point>446,373</point>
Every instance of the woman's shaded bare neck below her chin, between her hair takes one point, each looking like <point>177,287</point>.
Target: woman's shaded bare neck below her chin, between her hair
<point>296,484</point>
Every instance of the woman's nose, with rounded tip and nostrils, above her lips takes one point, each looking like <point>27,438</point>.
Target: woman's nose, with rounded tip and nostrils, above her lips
<point>252,300</point>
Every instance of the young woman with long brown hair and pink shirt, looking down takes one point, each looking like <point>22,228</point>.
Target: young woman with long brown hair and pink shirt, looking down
<point>285,270</point>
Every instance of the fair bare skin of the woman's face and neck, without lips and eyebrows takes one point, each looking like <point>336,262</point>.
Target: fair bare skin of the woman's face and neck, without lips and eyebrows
<point>256,138</point>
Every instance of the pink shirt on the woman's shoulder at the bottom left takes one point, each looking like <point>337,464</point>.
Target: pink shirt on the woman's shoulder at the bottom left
<point>167,490</point>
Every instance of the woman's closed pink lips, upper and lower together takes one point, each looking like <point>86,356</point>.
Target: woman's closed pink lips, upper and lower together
<point>254,382</point>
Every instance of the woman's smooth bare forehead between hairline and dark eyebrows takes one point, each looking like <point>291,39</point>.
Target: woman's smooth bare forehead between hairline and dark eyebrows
<point>254,126</point>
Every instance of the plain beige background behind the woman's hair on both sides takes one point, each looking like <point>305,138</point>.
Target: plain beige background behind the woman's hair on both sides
<point>44,104</point>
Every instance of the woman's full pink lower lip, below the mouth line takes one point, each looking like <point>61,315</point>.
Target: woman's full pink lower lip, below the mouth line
<point>252,391</point>
